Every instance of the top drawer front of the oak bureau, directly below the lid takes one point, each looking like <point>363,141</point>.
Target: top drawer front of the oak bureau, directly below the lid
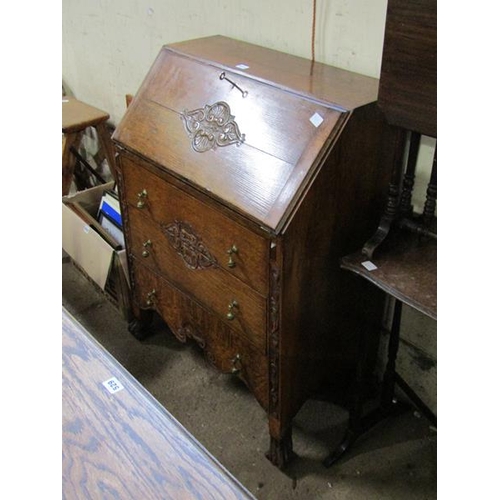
<point>201,236</point>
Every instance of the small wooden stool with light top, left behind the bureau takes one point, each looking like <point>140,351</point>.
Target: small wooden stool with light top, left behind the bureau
<point>76,117</point>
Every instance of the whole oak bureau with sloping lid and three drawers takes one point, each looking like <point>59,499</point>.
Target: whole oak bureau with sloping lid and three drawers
<point>244,175</point>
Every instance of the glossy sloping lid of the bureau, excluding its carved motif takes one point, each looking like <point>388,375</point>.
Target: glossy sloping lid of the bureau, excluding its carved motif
<point>260,177</point>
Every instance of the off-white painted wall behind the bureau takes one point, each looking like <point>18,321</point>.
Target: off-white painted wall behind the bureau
<point>109,45</point>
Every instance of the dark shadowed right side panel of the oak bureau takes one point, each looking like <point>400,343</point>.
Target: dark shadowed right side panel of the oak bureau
<point>323,307</point>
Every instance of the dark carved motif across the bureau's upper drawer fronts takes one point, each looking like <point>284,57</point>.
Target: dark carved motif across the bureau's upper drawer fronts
<point>188,245</point>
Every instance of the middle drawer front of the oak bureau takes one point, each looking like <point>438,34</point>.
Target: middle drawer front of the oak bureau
<point>235,303</point>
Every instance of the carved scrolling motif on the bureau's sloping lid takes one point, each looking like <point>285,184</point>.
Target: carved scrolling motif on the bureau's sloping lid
<point>212,126</point>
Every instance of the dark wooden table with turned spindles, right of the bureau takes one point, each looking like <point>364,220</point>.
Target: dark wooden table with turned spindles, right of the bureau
<point>401,257</point>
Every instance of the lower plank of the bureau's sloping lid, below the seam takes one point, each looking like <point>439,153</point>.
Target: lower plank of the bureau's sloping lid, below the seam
<point>158,133</point>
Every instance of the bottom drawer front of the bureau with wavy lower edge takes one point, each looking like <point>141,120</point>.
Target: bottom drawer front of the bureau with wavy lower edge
<point>228,352</point>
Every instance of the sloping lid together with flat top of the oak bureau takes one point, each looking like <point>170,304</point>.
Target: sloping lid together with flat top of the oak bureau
<point>249,142</point>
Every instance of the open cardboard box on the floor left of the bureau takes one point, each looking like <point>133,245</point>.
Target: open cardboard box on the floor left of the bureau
<point>93,251</point>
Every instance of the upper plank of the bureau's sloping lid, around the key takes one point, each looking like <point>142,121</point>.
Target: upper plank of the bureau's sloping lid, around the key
<point>180,84</point>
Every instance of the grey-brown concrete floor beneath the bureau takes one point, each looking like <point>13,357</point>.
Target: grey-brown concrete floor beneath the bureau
<point>396,460</point>
